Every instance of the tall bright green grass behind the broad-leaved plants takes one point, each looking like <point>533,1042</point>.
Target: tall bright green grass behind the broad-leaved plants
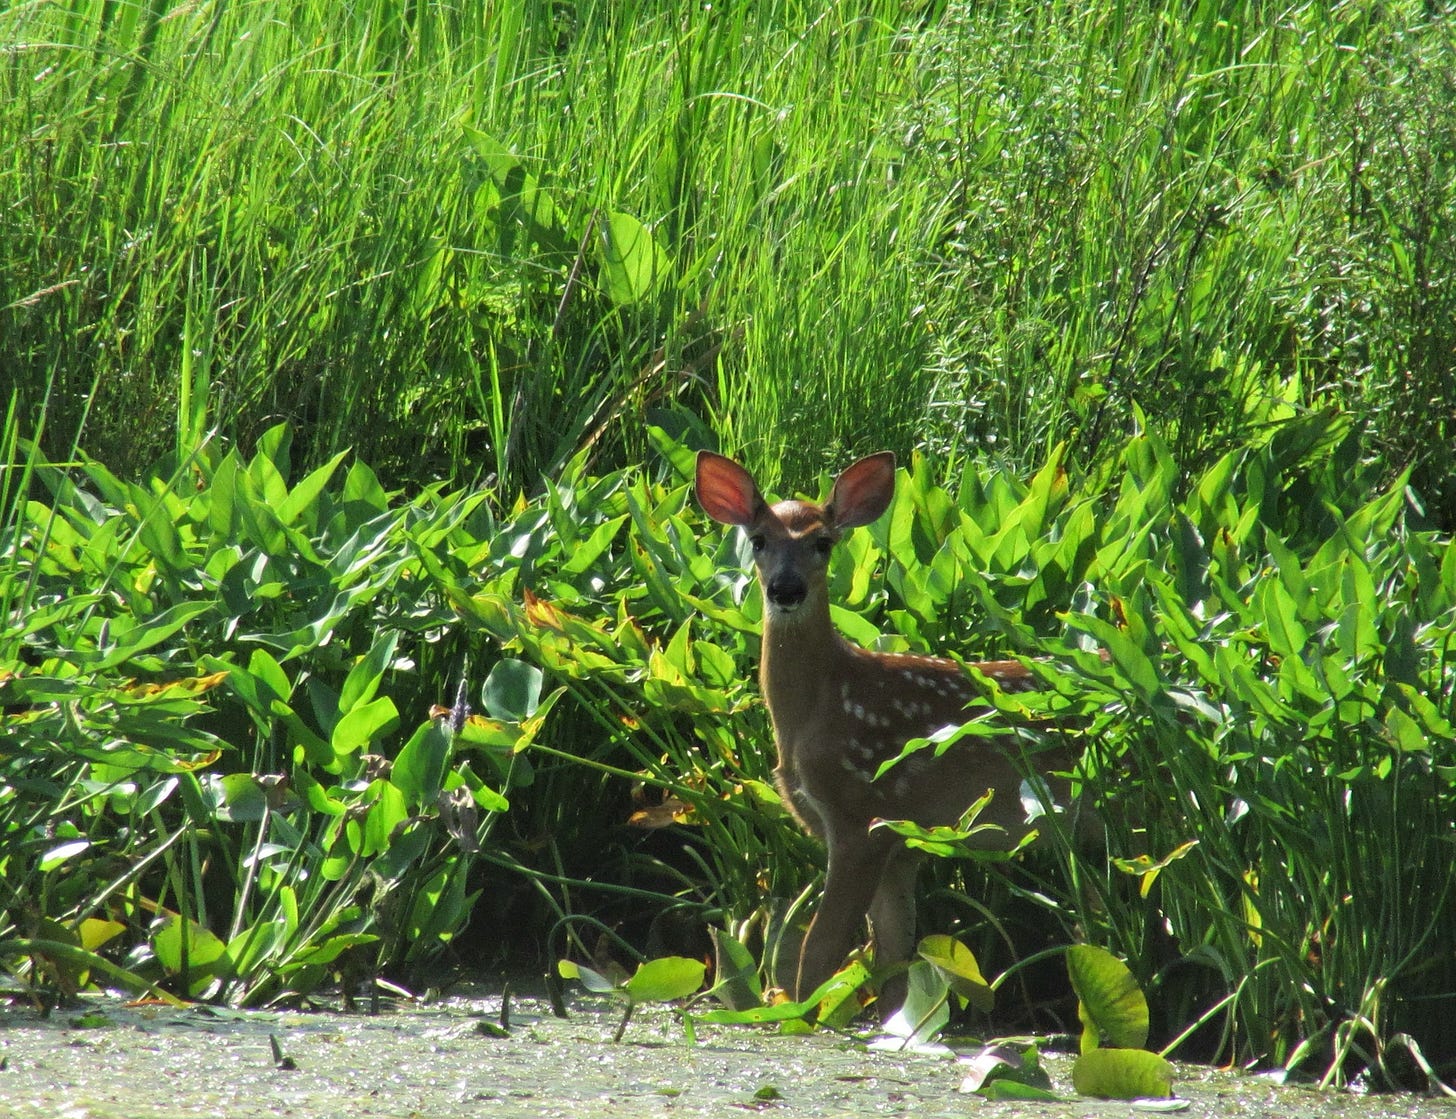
<point>474,241</point>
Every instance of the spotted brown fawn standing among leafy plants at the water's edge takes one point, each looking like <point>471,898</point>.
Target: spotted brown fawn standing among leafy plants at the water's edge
<point>841,711</point>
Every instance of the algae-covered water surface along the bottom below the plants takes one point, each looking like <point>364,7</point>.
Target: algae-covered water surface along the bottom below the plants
<point>107,1060</point>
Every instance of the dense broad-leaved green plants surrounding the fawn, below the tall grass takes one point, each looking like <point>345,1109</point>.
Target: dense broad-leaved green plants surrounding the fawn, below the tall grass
<point>222,763</point>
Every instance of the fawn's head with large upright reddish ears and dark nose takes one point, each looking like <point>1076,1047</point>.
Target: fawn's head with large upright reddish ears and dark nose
<point>794,539</point>
